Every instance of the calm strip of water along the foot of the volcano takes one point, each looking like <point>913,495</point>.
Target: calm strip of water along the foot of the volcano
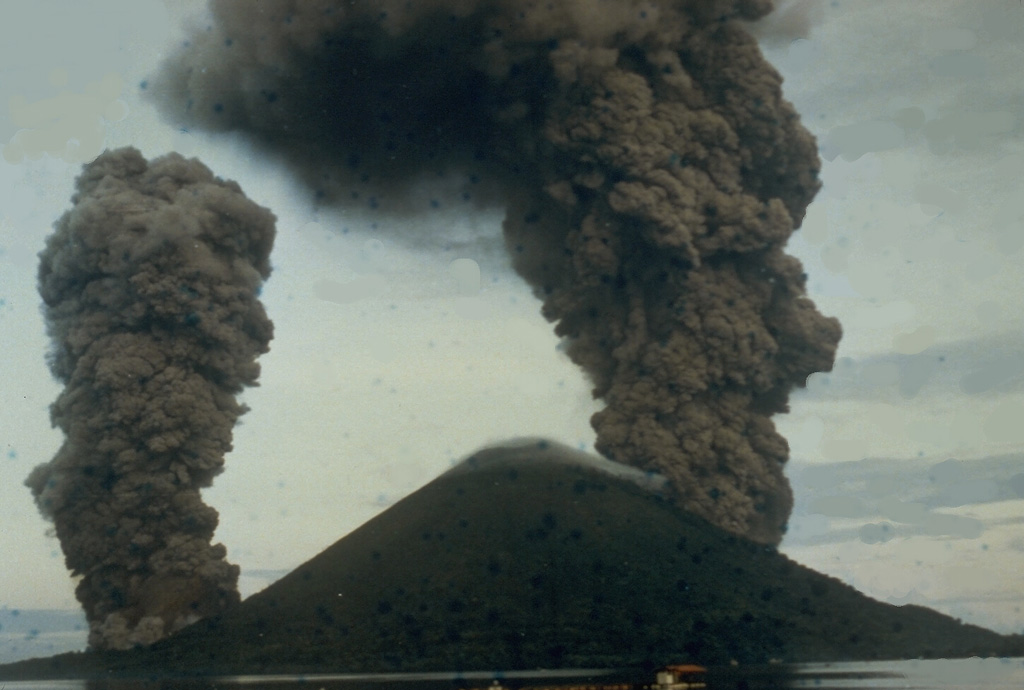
<point>964,674</point>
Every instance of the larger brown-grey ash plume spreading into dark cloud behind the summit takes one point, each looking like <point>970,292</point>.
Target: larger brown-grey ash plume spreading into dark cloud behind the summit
<point>652,172</point>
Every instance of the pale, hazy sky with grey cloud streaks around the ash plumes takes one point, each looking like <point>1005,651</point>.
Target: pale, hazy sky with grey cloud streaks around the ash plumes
<point>392,360</point>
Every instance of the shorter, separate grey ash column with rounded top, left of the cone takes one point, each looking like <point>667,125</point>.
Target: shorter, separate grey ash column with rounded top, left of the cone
<point>150,285</point>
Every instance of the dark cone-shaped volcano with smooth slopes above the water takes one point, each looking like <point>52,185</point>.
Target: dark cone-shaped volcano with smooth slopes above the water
<point>517,564</point>
